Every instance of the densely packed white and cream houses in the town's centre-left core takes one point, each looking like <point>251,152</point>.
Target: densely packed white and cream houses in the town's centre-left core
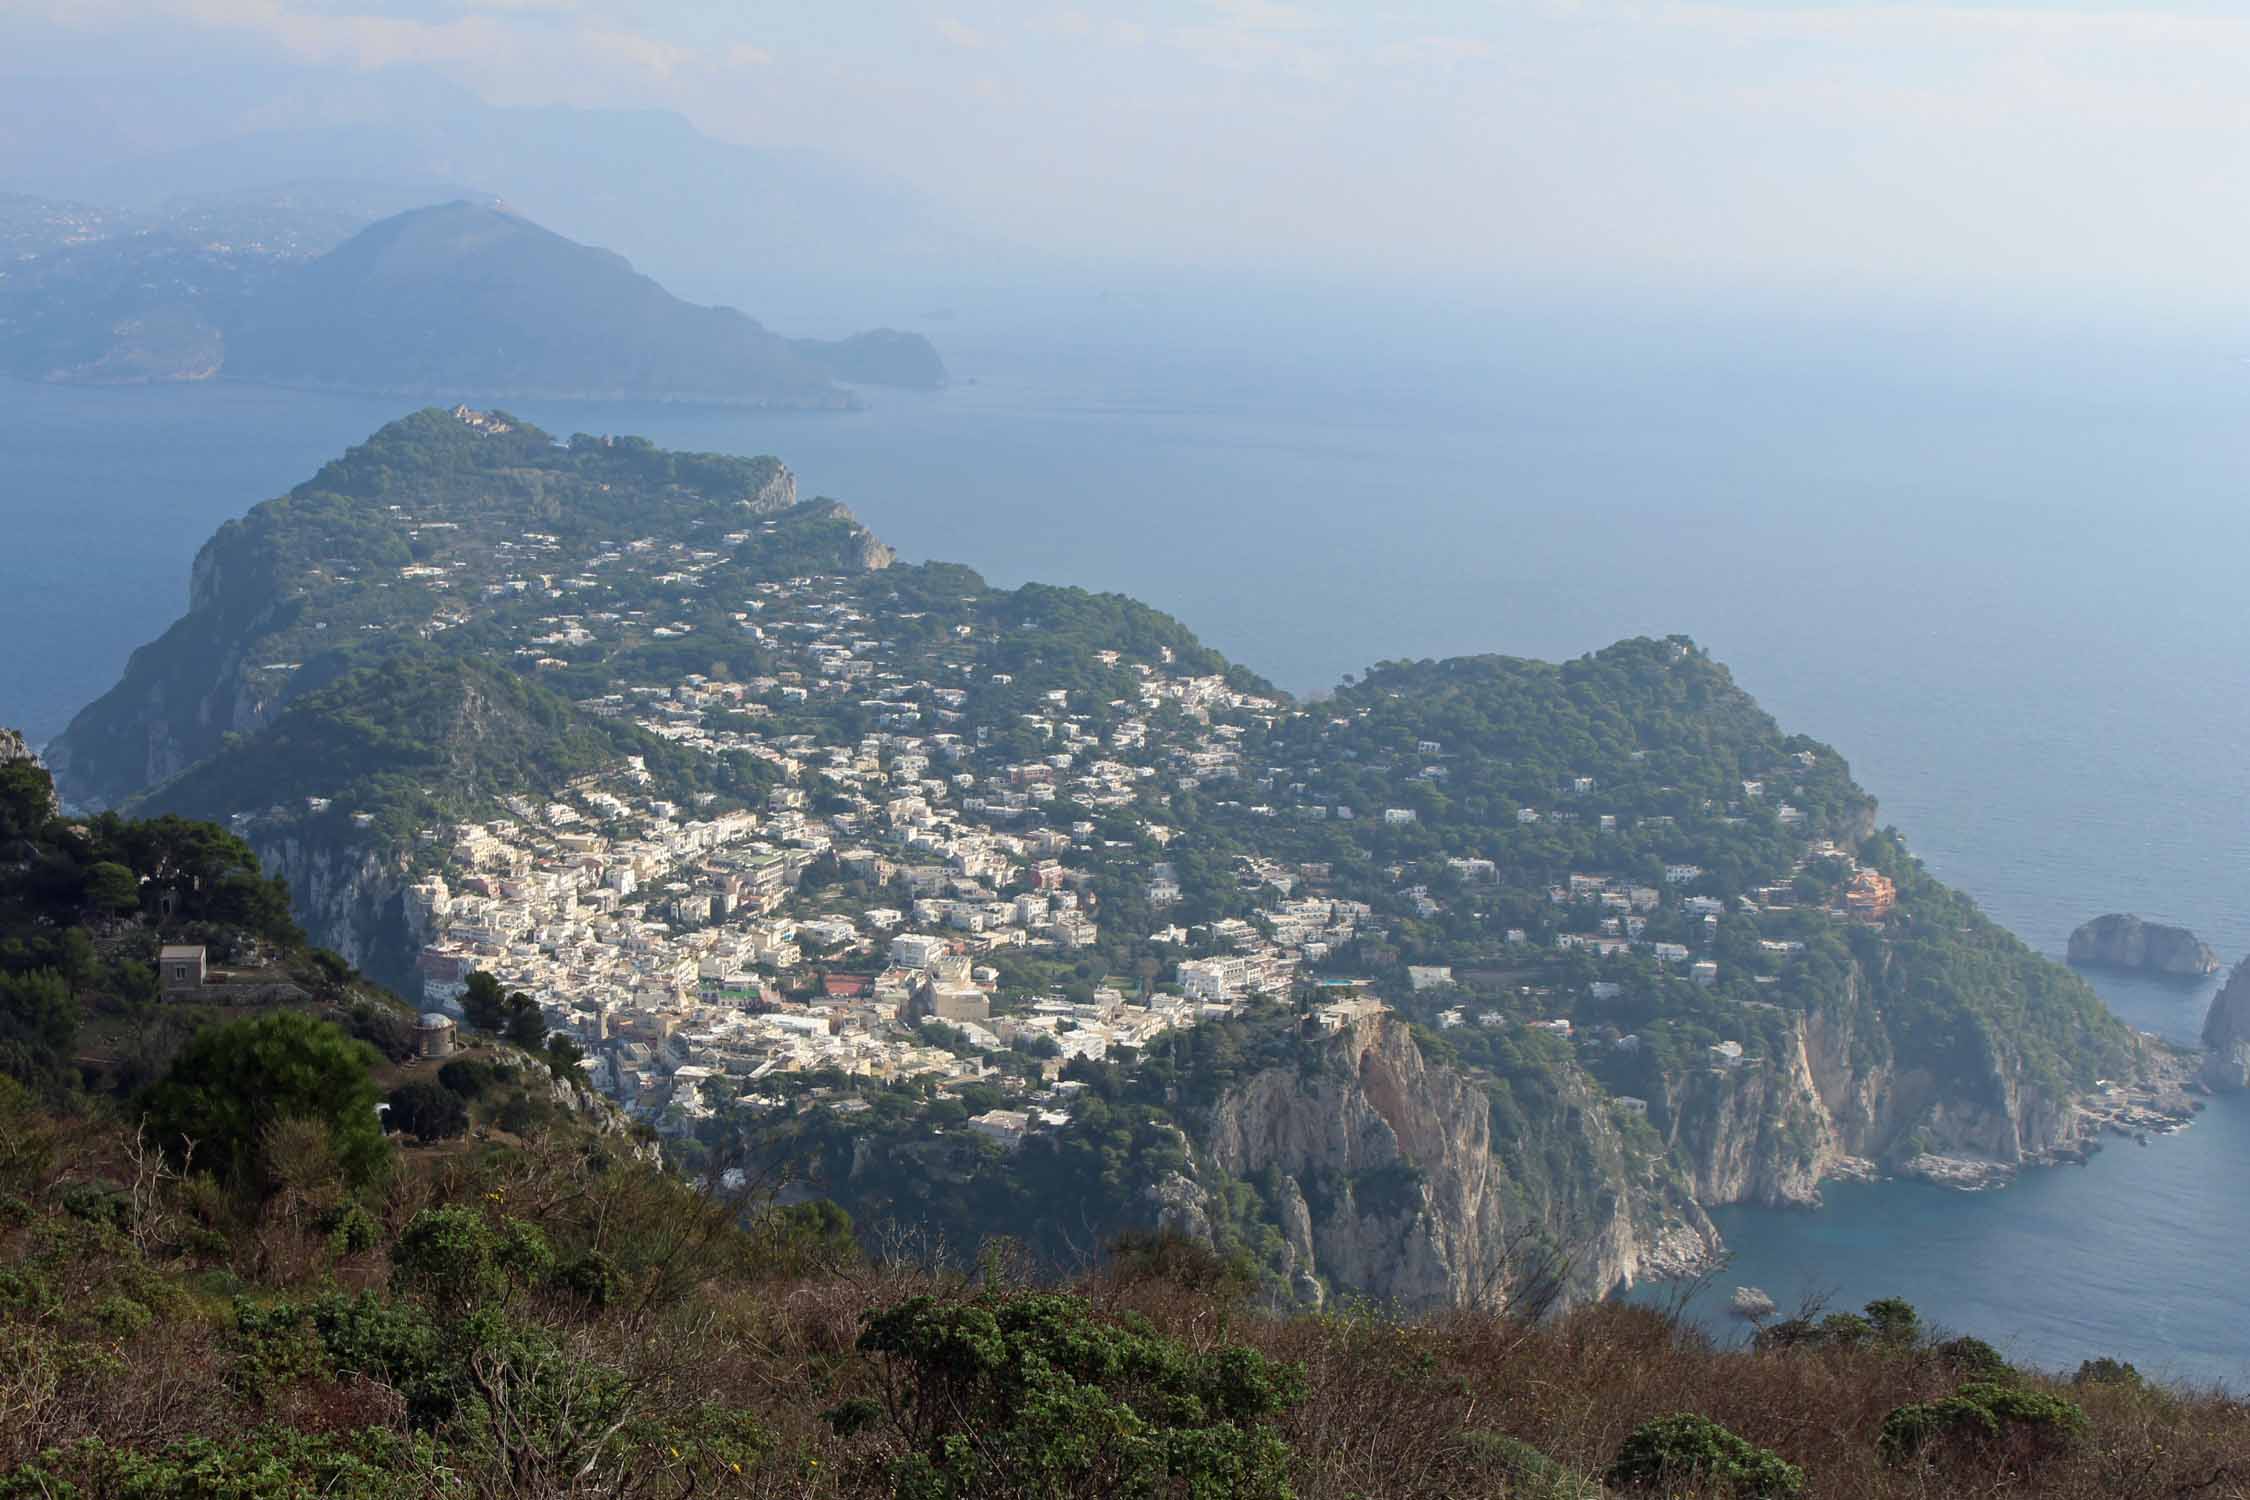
<point>665,941</point>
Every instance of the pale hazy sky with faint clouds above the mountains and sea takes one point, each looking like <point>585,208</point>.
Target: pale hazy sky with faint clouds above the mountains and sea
<point>1988,150</point>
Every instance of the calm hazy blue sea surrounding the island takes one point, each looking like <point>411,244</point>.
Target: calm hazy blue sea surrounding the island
<point>2001,575</point>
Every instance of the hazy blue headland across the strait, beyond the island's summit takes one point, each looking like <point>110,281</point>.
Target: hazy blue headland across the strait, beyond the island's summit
<point>460,300</point>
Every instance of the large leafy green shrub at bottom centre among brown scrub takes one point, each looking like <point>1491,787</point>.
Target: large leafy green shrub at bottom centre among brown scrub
<point>1034,1395</point>
